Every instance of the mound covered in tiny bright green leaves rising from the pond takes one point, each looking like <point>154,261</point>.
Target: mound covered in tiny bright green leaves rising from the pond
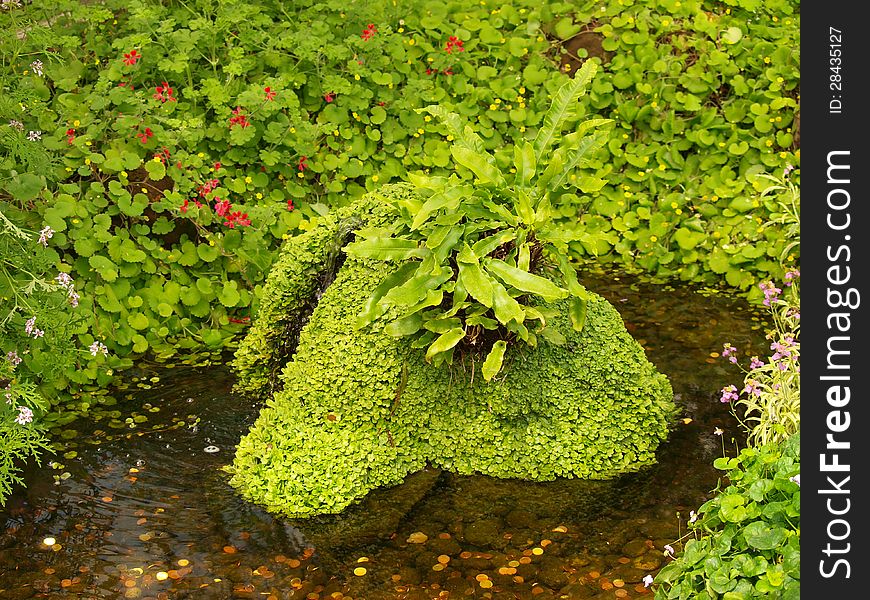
<point>358,409</point>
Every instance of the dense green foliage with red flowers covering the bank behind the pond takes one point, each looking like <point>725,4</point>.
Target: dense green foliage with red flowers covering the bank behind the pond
<point>703,97</point>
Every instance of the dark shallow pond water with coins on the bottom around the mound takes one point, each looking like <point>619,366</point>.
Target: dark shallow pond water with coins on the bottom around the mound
<point>140,507</point>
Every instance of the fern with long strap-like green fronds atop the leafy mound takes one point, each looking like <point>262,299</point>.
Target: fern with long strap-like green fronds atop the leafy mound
<point>475,248</point>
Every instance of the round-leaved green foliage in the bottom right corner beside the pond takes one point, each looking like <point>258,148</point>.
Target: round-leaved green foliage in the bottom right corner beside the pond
<point>746,541</point>
